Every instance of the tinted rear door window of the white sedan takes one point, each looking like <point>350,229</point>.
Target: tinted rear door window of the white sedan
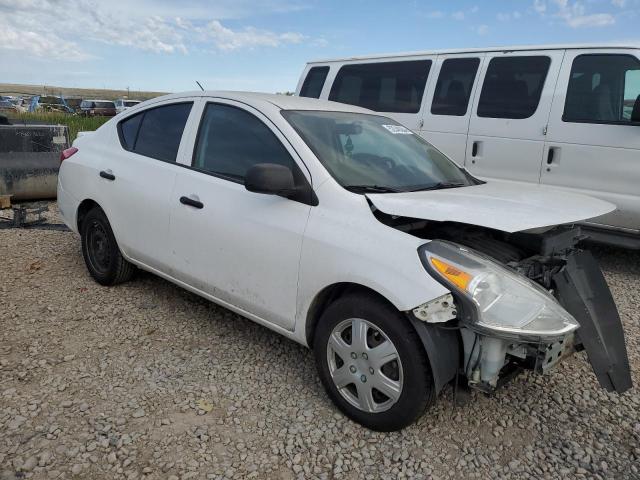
<point>156,132</point>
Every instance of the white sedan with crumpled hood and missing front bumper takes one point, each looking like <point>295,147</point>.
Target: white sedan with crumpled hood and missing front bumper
<point>342,230</point>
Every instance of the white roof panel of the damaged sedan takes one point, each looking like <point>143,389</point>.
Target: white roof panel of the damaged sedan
<point>283,102</point>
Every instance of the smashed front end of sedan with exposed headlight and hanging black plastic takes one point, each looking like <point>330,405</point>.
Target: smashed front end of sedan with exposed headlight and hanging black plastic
<point>525,302</point>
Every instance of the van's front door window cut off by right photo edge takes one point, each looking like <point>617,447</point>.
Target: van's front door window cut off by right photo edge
<point>603,89</point>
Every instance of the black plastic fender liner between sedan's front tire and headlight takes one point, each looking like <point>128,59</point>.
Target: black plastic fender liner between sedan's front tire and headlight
<point>443,350</point>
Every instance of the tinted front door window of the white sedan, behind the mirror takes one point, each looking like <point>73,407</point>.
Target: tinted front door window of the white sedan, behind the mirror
<point>232,140</point>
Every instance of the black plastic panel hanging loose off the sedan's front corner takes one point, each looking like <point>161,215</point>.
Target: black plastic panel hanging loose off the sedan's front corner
<point>583,291</point>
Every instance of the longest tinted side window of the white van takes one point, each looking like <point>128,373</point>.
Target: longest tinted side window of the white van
<point>395,87</point>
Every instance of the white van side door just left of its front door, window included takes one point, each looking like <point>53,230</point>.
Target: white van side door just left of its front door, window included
<point>510,114</point>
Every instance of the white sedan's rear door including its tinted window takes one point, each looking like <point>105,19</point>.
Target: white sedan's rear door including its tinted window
<point>138,179</point>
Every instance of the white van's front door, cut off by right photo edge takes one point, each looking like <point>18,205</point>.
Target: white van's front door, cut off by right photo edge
<point>593,143</point>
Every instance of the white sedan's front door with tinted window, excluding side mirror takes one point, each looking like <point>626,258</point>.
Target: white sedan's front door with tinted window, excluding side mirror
<point>240,247</point>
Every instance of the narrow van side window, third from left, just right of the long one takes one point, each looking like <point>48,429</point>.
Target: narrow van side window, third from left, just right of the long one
<point>453,89</point>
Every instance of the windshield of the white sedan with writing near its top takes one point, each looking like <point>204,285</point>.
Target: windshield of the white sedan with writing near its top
<point>371,153</point>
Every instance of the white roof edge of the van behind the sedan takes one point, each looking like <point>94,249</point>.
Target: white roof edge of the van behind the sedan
<point>516,48</point>
